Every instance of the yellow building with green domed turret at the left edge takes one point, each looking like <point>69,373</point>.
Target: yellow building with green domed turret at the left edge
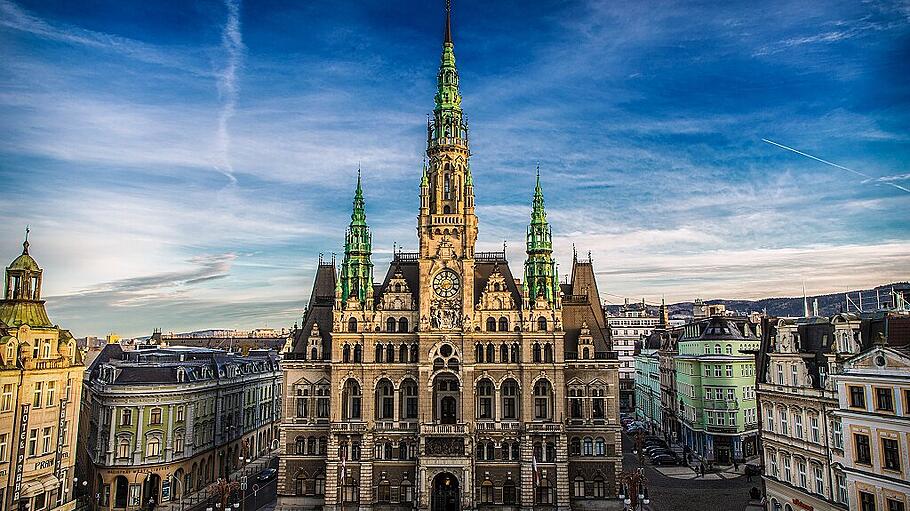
<point>41,381</point>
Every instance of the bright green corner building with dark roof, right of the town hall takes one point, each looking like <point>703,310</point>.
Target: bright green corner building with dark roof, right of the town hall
<point>716,388</point>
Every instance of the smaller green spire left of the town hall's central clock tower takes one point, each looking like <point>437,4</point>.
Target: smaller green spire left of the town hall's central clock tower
<point>357,268</point>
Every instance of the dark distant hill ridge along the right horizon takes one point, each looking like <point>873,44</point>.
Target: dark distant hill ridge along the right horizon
<point>828,305</point>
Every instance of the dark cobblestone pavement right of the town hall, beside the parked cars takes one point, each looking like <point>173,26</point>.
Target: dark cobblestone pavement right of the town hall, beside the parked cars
<point>678,494</point>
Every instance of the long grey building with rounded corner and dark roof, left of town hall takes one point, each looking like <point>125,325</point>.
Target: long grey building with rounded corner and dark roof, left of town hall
<point>160,423</point>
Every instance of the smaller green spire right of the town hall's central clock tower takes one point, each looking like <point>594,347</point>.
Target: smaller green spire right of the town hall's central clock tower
<point>540,268</point>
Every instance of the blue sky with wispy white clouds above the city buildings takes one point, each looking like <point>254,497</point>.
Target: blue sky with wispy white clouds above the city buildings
<point>182,164</point>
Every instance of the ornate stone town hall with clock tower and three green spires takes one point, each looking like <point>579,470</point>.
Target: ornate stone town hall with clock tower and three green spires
<point>451,383</point>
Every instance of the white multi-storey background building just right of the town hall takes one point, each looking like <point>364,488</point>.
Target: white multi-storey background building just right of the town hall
<point>627,329</point>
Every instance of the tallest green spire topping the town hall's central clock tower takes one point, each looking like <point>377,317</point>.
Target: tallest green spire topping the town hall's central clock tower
<point>447,114</point>
